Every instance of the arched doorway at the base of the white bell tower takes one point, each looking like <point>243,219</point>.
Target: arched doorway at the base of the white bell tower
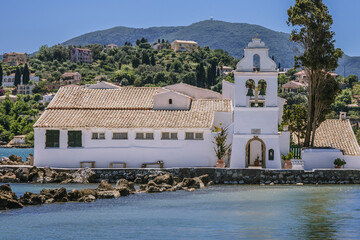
<point>255,151</point>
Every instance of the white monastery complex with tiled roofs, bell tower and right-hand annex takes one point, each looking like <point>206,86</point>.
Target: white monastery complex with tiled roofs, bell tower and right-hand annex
<point>104,125</point>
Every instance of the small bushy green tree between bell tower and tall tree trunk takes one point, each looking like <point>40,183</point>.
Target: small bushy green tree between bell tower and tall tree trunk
<point>295,118</point>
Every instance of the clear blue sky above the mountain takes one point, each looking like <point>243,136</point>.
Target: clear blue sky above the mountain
<point>26,25</point>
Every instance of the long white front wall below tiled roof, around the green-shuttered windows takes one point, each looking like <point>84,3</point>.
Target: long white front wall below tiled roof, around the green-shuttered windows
<point>174,153</point>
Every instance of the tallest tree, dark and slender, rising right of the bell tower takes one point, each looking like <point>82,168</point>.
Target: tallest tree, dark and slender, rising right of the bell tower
<point>313,32</point>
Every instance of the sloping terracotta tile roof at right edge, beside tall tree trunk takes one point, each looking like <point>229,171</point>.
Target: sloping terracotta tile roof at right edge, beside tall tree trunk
<point>338,134</point>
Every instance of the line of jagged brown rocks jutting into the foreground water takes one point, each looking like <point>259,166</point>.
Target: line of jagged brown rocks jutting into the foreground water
<point>161,183</point>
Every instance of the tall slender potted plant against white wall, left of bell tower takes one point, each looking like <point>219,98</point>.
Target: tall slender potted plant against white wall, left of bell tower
<point>221,147</point>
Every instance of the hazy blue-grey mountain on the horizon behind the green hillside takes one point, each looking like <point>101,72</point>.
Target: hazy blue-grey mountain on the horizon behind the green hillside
<point>231,37</point>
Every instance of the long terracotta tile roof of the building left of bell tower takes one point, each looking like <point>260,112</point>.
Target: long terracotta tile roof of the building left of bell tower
<point>127,107</point>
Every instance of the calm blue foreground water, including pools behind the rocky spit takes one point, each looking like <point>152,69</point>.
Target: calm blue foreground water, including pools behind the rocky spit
<point>219,212</point>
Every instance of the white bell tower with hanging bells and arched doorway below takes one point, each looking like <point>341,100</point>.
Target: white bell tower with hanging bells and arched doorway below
<point>256,137</point>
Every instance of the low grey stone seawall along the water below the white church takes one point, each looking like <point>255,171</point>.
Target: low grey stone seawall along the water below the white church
<point>238,176</point>
